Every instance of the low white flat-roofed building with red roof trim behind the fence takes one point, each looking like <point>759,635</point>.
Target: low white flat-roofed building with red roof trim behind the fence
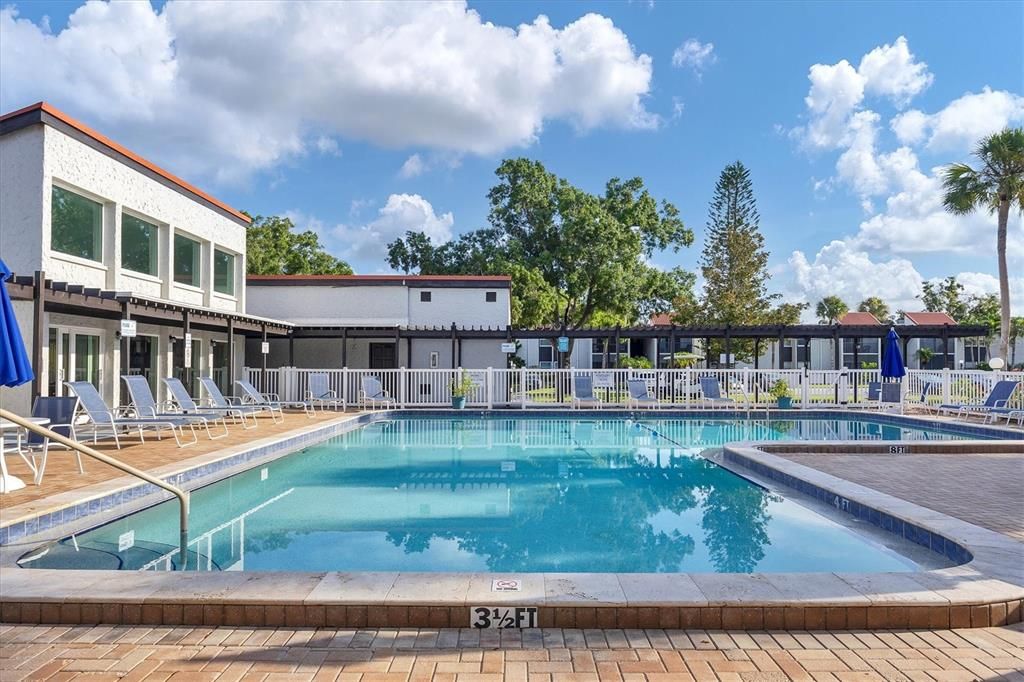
<point>381,321</point>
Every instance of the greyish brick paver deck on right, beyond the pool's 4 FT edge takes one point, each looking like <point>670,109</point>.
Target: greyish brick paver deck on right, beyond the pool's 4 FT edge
<point>985,490</point>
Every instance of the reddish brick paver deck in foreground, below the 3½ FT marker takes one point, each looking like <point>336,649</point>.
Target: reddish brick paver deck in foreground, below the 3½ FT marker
<point>184,655</point>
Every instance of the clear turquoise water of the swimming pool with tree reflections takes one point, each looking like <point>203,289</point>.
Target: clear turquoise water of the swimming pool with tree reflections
<point>502,495</point>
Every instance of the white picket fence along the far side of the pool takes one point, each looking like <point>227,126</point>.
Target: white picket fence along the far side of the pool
<point>681,389</point>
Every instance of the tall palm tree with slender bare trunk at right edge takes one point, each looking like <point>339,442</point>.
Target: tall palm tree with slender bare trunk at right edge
<point>997,187</point>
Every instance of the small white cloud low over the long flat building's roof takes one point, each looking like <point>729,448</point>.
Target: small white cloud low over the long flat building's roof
<point>365,246</point>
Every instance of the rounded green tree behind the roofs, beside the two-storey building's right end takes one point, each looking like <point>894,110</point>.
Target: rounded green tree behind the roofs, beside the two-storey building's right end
<point>274,247</point>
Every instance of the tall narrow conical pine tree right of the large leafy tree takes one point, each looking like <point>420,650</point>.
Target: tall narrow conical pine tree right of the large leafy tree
<point>735,263</point>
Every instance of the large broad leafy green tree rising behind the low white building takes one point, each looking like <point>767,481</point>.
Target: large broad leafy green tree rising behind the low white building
<point>572,254</point>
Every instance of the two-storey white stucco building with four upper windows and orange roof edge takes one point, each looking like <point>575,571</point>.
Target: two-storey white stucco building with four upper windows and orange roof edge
<point>110,236</point>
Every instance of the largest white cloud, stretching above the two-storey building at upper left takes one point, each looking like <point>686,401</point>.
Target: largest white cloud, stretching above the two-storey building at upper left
<point>228,89</point>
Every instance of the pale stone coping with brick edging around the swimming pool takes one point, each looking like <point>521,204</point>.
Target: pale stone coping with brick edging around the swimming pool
<point>986,591</point>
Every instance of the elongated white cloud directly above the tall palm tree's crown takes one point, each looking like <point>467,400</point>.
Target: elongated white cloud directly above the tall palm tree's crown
<point>963,122</point>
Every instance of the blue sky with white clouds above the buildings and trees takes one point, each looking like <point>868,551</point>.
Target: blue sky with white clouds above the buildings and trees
<point>363,121</point>
